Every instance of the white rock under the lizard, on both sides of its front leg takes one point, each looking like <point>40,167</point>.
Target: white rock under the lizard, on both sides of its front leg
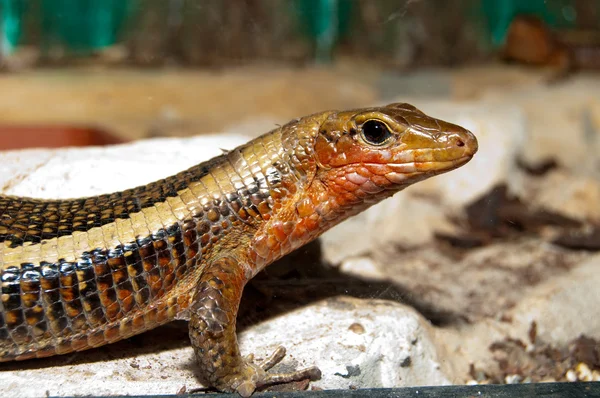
<point>361,343</point>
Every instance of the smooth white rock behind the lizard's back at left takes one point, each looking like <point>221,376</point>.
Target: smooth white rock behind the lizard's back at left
<point>76,172</point>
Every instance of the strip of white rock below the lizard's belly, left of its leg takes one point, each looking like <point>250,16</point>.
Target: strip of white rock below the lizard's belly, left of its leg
<point>113,370</point>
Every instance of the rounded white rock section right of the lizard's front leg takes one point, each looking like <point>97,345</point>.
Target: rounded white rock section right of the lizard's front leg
<point>383,344</point>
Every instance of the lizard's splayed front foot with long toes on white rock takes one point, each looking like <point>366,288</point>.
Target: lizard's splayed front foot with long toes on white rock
<point>255,375</point>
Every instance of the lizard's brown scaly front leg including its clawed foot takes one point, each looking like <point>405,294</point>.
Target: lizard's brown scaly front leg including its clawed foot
<point>212,333</point>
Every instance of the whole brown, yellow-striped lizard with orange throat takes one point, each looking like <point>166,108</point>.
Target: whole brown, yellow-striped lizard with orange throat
<point>82,273</point>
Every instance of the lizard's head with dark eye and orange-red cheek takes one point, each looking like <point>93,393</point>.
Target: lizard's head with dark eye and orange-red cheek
<point>365,155</point>
